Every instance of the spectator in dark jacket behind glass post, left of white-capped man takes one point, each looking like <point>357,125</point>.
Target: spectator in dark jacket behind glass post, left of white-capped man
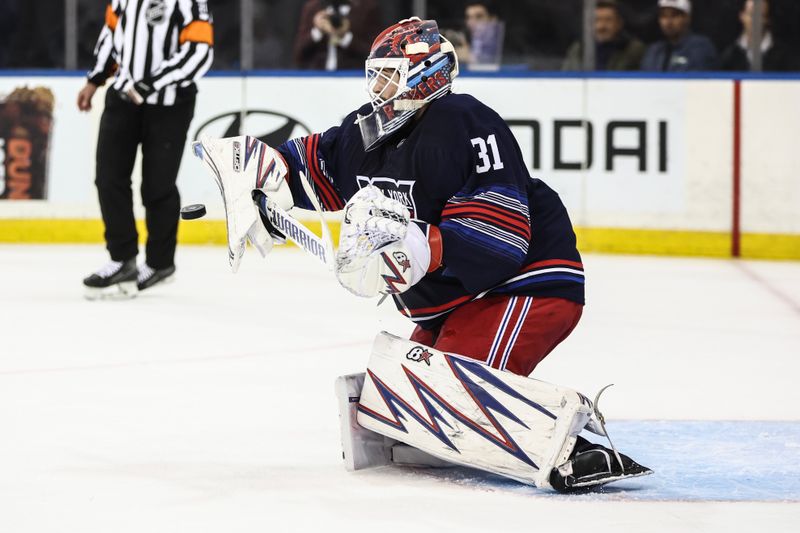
<point>615,49</point>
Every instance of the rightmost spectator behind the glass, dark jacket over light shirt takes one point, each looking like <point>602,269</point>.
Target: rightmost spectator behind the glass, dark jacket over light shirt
<point>775,57</point>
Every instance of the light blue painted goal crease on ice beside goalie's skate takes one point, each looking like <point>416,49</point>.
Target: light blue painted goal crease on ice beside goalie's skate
<point>692,460</point>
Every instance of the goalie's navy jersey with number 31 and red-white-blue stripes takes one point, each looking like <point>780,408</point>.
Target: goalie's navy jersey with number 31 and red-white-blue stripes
<point>460,168</point>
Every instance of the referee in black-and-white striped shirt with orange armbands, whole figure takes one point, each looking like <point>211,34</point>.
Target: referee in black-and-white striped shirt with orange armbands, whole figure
<point>155,50</point>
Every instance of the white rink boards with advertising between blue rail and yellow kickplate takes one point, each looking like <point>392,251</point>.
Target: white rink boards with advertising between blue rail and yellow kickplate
<point>685,184</point>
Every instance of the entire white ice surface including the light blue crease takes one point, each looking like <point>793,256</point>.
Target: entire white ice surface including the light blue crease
<point>207,405</point>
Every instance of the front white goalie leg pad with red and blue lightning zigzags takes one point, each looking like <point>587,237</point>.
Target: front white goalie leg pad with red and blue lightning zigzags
<point>465,412</point>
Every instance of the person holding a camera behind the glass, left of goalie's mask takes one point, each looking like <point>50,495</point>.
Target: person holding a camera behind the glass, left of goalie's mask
<point>336,34</point>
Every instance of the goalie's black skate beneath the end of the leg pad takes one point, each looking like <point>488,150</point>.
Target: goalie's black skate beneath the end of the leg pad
<point>591,465</point>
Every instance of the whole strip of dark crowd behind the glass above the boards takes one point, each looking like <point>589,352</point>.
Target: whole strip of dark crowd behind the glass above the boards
<point>518,35</point>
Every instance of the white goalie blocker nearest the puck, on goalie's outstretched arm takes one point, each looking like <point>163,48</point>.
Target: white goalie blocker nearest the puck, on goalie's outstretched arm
<point>241,166</point>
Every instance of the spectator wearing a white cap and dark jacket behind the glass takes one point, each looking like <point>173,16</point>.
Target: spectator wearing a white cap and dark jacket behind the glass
<point>681,50</point>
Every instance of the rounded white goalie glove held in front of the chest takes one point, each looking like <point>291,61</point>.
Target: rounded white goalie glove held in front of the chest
<point>380,250</point>
